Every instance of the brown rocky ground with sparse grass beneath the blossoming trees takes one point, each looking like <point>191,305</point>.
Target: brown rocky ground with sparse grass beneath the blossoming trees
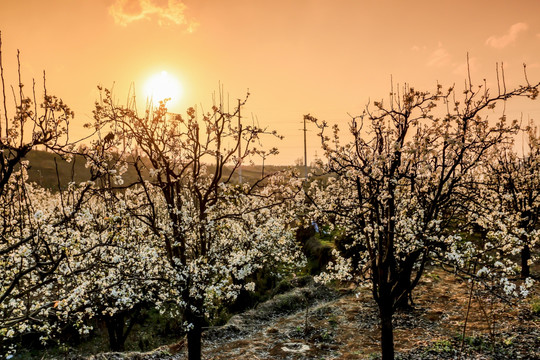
<point>313,322</point>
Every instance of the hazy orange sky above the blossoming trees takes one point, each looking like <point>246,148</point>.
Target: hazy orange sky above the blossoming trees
<point>327,58</point>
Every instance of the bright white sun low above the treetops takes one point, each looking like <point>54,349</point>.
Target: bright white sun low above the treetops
<point>163,86</point>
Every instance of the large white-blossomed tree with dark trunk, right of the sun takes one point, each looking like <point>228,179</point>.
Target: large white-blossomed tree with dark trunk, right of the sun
<point>398,185</point>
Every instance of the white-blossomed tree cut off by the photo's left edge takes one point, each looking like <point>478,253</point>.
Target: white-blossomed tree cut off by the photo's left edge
<point>28,256</point>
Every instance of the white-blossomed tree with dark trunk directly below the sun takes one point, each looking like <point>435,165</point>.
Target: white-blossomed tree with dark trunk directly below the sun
<point>214,232</point>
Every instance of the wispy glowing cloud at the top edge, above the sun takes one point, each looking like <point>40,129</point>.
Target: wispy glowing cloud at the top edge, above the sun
<point>166,12</point>
